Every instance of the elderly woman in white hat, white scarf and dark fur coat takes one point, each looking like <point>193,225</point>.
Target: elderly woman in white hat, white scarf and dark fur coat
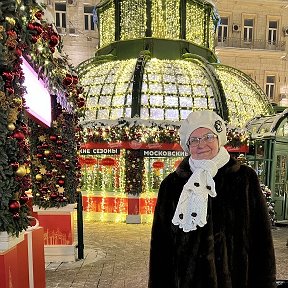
<point>211,227</point>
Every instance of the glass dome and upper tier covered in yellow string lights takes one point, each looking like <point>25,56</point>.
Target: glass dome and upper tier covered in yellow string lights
<point>156,61</point>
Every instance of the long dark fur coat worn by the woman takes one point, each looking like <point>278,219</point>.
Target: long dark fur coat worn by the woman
<point>233,250</point>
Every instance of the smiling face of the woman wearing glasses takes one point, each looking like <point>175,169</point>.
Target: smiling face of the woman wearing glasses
<point>205,149</point>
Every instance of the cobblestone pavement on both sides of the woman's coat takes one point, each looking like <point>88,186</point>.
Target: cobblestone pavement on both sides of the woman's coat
<point>116,256</point>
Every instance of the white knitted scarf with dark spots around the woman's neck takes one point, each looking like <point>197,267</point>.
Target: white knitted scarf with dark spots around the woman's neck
<point>191,210</point>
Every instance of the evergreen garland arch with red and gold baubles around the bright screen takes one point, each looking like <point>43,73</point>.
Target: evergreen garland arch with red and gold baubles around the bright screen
<point>26,32</point>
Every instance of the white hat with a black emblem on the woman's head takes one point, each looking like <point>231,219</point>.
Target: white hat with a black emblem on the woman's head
<point>206,119</point>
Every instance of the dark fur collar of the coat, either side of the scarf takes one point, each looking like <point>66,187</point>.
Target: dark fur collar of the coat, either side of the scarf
<point>183,170</point>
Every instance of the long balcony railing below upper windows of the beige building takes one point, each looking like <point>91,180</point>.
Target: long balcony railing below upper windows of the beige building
<point>254,44</point>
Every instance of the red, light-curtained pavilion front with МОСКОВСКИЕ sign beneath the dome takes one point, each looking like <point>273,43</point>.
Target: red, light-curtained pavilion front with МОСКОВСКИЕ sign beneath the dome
<point>110,173</point>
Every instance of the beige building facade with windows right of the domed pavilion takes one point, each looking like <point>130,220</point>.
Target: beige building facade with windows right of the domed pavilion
<point>253,37</point>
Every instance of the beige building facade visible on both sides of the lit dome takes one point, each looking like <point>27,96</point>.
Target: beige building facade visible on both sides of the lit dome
<point>252,37</point>
